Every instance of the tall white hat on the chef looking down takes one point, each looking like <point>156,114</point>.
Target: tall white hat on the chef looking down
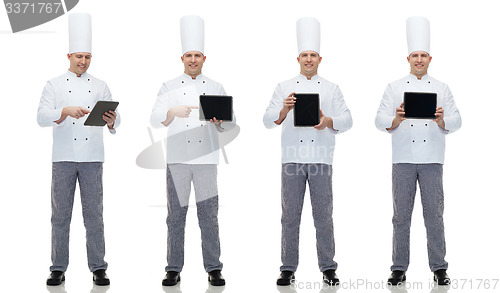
<point>80,33</point>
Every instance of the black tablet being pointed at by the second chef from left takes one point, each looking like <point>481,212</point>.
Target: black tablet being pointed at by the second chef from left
<point>220,107</point>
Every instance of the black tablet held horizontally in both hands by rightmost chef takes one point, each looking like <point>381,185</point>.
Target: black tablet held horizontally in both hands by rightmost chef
<point>420,105</point>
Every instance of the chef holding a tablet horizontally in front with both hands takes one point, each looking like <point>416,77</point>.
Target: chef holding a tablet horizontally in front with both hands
<point>418,154</point>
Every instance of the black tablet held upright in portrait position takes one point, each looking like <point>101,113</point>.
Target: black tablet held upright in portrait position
<point>306,110</point>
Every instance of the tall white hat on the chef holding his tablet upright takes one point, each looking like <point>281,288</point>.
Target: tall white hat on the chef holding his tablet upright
<point>308,34</point>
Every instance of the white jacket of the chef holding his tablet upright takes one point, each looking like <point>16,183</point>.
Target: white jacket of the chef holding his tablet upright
<point>307,144</point>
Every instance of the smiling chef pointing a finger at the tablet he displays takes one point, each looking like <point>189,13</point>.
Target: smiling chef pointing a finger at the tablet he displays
<point>192,155</point>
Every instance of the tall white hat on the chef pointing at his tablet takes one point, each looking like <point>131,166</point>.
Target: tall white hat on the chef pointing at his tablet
<point>192,34</point>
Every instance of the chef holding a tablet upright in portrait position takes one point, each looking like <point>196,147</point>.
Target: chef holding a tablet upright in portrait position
<point>307,154</point>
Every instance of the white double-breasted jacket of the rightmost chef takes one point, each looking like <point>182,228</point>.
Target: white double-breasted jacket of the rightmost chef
<point>417,141</point>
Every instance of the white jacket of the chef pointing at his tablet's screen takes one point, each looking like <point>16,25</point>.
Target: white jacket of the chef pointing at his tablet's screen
<point>188,137</point>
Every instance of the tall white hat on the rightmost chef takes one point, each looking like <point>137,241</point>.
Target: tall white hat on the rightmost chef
<point>418,34</point>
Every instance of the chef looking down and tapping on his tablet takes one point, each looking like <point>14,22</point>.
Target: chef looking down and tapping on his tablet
<point>78,151</point>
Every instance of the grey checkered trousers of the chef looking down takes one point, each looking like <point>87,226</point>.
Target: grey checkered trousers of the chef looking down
<point>64,177</point>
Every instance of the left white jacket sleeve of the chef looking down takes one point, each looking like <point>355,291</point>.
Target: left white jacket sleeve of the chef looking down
<point>47,111</point>
